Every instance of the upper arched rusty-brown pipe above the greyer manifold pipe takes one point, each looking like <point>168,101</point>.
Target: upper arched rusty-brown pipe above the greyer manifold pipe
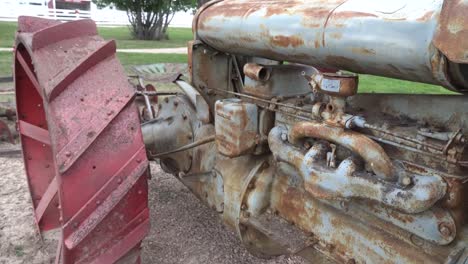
<point>372,153</point>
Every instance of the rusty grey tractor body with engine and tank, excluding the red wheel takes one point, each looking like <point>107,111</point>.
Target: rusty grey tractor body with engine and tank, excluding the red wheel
<point>293,159</point>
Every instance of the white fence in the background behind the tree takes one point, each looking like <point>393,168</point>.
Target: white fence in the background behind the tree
<point>11,9</point>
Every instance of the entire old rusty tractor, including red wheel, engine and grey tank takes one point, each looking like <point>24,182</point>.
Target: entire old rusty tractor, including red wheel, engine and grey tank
<point>269,130</point>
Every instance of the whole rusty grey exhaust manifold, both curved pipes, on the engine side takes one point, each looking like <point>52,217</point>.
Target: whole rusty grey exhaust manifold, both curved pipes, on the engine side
<point>348,180</point>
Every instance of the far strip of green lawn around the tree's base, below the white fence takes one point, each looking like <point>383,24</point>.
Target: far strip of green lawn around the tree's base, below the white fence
<point>178,37</point>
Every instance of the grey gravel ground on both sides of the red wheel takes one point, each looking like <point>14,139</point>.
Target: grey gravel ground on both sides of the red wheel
<point>183,230</point>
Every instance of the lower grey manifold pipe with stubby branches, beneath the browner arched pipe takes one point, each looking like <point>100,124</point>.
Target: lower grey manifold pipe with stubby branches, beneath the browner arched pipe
<point>348,180</point>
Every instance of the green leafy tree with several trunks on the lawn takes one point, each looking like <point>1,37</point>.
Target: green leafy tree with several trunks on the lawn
<point>149,19</point>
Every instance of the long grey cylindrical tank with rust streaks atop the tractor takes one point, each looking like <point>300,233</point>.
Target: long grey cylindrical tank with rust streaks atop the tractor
<point>387,38</point>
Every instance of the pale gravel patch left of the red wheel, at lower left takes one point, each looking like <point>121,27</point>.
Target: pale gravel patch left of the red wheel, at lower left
<point>19,242</point>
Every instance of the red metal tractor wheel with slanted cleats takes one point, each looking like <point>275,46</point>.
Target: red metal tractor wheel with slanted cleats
<point>82,145</point>
